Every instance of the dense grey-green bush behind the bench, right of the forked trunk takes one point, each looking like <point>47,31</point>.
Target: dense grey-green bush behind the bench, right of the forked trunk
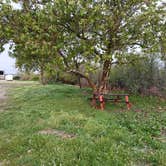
<point>142,77</point>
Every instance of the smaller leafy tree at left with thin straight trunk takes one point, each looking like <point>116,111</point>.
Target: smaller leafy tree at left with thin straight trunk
<point>34,38</point>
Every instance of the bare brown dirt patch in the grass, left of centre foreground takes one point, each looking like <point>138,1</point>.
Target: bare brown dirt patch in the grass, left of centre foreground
<point>59,133</point>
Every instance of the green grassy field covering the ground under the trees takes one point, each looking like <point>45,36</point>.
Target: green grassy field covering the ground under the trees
<point>115,137</point>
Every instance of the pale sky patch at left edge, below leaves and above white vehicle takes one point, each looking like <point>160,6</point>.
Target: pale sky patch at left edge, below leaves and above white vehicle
<point>7,64</point>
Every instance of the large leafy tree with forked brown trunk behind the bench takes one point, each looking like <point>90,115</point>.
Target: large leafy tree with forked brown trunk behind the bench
<point>108,32</point>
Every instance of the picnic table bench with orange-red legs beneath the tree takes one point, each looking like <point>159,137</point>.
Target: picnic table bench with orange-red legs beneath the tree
<point>116,98</point>
